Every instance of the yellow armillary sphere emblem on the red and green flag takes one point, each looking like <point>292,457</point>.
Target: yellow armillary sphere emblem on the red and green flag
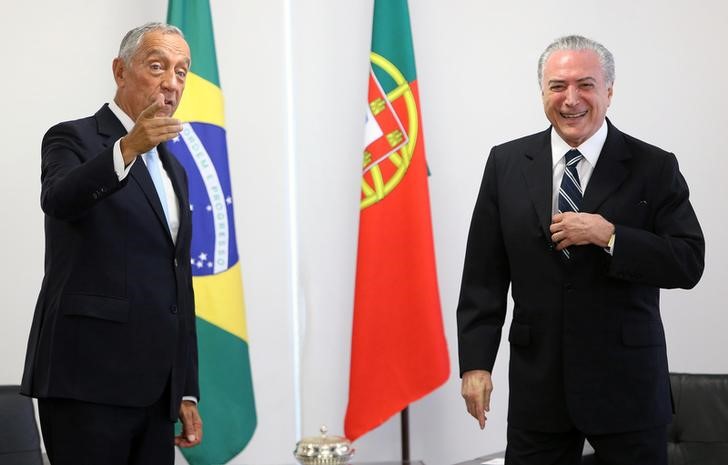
<point>379,187</point>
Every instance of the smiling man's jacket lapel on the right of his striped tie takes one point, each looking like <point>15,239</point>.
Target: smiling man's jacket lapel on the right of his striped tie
<point>610,171</point>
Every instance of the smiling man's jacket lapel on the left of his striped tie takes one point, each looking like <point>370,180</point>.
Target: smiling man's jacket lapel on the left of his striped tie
<point>537,171</point>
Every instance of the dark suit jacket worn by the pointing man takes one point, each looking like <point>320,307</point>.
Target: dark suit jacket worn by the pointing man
<point>115,321</point>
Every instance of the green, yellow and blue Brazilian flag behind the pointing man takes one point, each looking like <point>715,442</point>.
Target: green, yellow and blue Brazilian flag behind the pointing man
<point>227,405</point>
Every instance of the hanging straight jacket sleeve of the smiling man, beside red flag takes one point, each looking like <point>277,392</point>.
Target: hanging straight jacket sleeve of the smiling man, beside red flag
<point>486,277</point>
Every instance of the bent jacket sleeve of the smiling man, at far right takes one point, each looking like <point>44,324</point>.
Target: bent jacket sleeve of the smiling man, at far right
<point>672,253</point>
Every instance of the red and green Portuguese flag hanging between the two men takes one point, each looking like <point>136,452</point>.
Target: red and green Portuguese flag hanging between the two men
<point>398,352</point>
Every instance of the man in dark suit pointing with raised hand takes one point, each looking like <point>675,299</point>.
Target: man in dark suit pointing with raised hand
<point>112,350</point>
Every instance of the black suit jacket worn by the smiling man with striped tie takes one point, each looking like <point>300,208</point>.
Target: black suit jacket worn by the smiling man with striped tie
<point>587,342</point>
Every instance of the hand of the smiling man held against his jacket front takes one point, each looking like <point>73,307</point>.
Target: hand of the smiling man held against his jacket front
<point>572,228</point>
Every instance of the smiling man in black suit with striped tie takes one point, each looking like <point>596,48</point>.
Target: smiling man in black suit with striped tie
<point>585,240</point>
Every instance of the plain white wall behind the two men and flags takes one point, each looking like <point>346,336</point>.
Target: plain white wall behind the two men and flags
<point>476,68</point>
